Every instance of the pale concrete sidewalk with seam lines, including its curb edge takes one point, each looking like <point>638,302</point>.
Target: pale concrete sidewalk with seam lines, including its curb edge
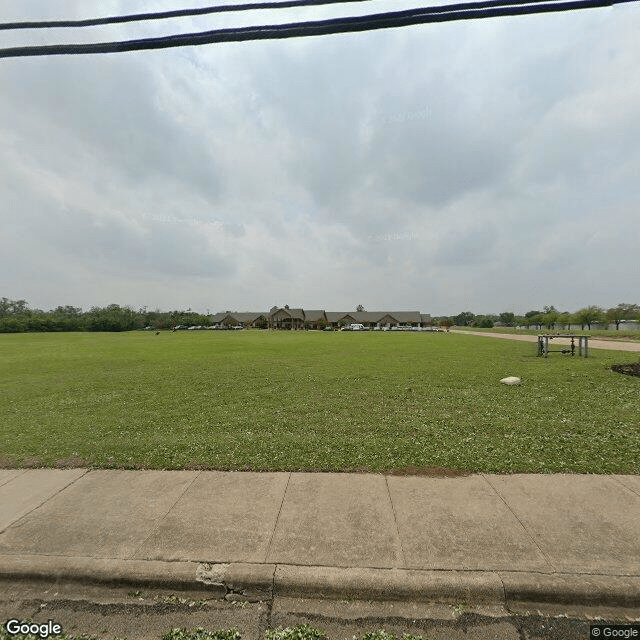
<point>495,539</point>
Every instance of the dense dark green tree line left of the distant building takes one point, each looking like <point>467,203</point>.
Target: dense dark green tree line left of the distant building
<point>17,317</point>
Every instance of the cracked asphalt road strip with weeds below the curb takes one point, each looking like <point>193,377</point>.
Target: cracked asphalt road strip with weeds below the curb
<point>136,614</point>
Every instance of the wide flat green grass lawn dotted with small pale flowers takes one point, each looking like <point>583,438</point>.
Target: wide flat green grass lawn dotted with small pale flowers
<point>313,401</point>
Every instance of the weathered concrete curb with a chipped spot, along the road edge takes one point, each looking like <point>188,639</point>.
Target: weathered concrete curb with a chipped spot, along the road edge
<point>255,582</point>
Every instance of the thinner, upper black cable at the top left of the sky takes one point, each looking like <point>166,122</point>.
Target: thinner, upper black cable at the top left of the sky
<point>162,15</point>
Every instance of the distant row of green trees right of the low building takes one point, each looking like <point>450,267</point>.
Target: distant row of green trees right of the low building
<point>549,318</point>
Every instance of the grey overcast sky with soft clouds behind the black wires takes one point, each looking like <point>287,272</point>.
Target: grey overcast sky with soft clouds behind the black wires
<point>489,165</point>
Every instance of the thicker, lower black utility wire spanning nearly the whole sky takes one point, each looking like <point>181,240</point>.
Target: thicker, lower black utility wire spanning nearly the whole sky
<point>446,13</point>
